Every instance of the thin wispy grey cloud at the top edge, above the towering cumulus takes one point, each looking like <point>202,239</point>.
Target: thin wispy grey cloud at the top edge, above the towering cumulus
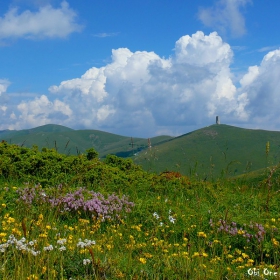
<point>225,15</point>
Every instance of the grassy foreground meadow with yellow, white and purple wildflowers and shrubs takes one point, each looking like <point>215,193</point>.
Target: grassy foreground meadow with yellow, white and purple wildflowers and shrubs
<point>75,217</point>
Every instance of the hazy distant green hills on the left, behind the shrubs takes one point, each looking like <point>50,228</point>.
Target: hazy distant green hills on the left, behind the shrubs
<point>69,141</point>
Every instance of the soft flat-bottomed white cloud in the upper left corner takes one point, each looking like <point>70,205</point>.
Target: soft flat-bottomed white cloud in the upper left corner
<point>47,22</point>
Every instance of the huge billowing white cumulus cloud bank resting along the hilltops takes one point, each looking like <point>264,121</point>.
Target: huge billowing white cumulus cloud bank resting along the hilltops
<point>142,94</point>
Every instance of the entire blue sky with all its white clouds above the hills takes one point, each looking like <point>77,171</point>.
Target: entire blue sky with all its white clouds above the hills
<point>139,68</point>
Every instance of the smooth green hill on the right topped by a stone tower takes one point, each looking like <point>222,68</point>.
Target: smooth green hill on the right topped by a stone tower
<point>213,150</point>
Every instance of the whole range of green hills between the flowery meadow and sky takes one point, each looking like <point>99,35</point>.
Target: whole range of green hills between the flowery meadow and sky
<point>208,151</point>
